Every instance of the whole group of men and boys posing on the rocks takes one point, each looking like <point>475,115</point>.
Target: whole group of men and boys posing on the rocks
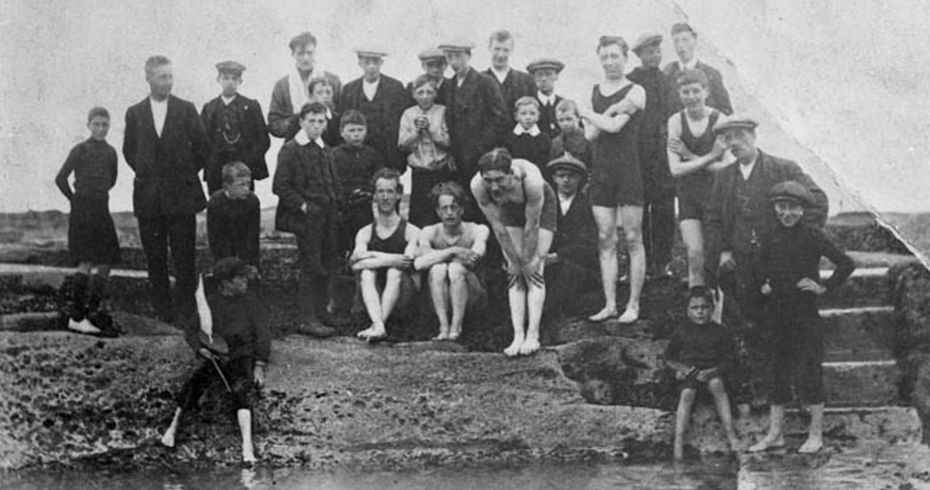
<point>495,151</point>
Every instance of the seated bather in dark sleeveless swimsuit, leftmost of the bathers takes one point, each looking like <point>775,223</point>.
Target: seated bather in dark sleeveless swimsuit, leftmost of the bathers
<point>383,256</point>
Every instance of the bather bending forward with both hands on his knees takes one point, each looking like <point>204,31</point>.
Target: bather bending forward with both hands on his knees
<point>522,211</point>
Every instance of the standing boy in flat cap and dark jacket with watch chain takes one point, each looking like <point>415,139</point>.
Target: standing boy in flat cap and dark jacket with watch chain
<point>235,127</point>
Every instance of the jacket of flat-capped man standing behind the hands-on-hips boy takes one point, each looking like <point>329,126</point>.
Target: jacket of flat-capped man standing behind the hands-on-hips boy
<point>721,209</point>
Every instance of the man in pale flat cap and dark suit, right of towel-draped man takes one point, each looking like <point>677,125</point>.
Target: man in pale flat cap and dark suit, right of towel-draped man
<point>382,100</point>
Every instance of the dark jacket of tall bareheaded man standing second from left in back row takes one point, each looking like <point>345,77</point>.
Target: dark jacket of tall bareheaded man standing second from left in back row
<point>166,167</point>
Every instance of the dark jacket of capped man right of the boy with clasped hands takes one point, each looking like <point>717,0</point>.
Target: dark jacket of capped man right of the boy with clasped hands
<point>477,120</point>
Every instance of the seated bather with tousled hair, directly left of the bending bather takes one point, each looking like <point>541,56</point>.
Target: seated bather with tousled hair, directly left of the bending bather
<point>451,250</point>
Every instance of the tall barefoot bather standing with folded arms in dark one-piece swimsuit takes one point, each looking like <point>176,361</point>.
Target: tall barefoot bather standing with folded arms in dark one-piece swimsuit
<point>616,181</point>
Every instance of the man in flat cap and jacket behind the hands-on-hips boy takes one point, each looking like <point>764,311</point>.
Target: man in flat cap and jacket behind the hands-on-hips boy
<point>738,215</point>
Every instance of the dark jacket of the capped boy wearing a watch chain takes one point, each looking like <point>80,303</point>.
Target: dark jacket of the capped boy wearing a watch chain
<point>254,134</point>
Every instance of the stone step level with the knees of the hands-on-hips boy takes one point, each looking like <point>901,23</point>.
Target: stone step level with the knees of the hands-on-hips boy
<point>861,383</point>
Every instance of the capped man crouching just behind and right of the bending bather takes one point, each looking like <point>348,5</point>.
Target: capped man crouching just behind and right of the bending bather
<point>571,265</point>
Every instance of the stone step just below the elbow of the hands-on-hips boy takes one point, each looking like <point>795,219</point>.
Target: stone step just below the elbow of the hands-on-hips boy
<point>859,334</point>
